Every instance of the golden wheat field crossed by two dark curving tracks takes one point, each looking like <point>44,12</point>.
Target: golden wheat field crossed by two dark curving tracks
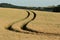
<point>19,24</point>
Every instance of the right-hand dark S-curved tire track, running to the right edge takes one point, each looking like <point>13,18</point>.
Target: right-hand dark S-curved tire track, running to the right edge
<point>24,27</point>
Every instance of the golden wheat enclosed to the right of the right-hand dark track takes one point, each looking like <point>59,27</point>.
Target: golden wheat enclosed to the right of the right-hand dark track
<point>47,22</point>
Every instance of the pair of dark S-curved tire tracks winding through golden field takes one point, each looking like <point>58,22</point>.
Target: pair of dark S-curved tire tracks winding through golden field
<point>24,27</point>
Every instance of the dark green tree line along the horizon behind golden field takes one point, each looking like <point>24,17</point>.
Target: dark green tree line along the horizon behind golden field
<point>53,9</point>
